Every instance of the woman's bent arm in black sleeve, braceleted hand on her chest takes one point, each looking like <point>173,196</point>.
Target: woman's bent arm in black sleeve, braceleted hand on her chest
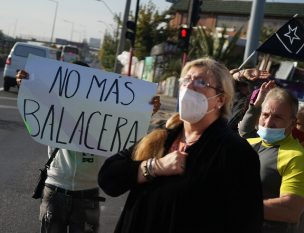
<point>120,172</point>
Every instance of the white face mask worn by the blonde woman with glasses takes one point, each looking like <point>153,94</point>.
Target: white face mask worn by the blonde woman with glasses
<point>193,106</point>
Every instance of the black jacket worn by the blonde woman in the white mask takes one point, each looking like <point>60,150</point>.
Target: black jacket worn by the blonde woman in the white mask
<point>220,191</point>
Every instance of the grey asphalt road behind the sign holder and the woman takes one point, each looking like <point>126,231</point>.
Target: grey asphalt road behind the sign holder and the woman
<point>21,158</point>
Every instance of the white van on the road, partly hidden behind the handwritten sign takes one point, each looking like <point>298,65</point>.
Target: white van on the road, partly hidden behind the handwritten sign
<point>17,58</point>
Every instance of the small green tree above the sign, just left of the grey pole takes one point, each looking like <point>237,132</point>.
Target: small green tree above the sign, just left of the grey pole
<point>107,52</point>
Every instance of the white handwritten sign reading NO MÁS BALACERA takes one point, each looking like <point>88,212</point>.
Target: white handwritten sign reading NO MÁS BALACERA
<point>83,109</point>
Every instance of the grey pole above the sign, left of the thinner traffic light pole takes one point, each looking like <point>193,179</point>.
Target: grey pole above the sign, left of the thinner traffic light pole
<point>121,44</point>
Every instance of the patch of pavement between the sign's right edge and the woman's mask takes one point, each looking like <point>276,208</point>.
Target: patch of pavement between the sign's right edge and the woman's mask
<point>167,109</point>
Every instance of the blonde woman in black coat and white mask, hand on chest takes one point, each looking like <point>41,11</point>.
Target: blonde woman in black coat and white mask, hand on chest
<point>196,175</point>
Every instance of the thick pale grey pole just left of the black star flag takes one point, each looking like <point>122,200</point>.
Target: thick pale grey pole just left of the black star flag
<point>253,32</point>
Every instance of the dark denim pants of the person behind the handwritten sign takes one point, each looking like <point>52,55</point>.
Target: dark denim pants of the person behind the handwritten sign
<point>60,213</point>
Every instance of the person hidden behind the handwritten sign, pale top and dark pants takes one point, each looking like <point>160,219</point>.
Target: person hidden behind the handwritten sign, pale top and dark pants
<point>70,201</point>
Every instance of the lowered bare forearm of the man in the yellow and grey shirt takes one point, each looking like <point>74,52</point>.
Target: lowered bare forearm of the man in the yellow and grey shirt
<point>287,208</point>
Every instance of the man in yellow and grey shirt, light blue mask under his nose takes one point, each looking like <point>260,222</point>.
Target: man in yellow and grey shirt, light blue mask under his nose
<point>281,156</point>
